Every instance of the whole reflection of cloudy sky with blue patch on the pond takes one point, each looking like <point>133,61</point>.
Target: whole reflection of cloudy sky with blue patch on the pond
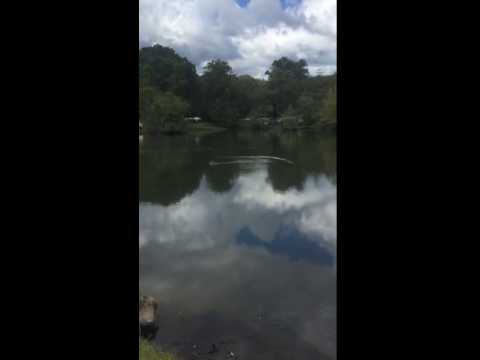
<point>193,255</point>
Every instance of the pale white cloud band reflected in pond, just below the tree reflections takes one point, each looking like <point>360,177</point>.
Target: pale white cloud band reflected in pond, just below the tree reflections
<point>199,222</point>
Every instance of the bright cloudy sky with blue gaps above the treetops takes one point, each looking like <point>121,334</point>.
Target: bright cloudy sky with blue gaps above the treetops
<point>249,34</point>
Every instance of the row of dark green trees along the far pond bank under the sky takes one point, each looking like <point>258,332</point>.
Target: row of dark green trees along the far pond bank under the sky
<point>170,90</point>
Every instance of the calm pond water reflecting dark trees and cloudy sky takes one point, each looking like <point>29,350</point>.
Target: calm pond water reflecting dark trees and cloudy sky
<point>241,252</point>
